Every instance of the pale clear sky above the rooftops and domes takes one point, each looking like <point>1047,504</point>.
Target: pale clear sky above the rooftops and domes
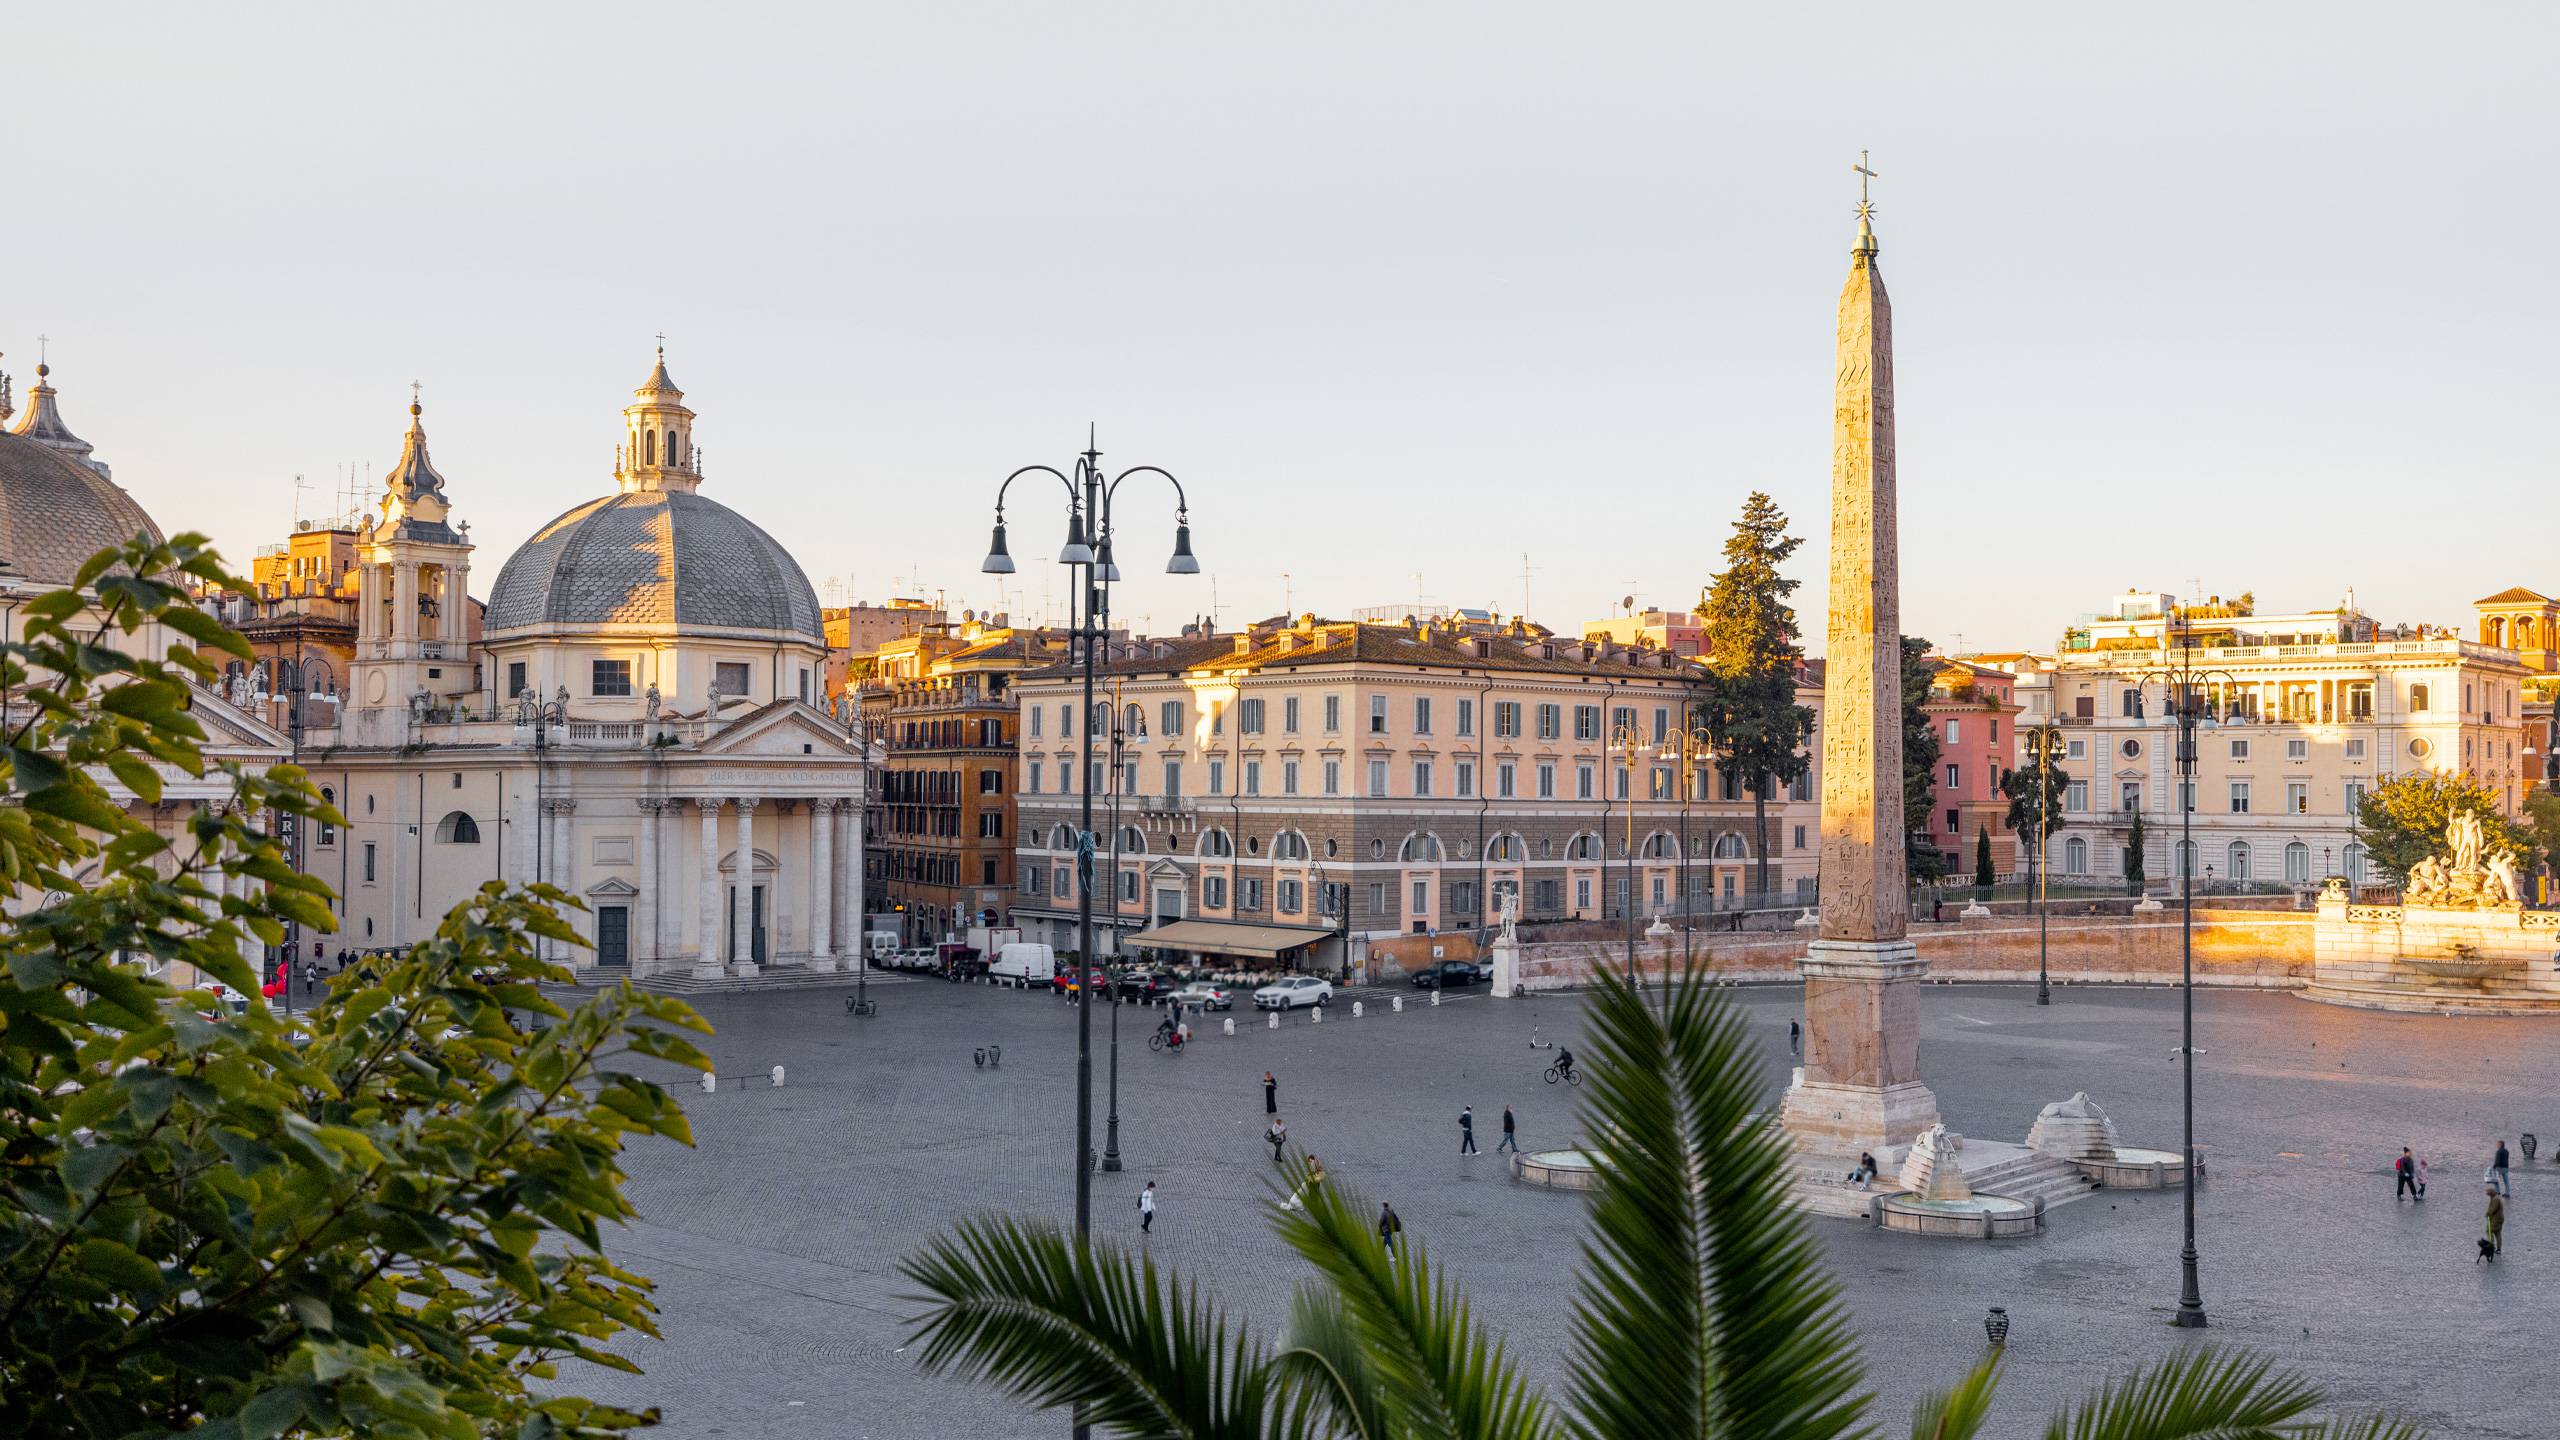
<point>2228,293</point>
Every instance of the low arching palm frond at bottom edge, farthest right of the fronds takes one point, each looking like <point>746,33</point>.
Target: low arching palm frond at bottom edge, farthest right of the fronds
<point>2208,1395</point>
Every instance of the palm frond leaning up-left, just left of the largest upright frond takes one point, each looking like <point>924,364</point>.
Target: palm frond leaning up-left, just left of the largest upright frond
<point>1435,1372</point>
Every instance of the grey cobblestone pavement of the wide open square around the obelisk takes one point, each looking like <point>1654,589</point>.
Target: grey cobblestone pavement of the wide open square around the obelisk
<point>777,1239</point>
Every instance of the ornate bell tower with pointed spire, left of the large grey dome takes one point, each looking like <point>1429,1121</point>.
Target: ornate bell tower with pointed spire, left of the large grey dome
<point>413,624</point>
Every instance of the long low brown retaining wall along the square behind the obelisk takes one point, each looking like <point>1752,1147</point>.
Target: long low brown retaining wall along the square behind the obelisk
<point>2257,949</point>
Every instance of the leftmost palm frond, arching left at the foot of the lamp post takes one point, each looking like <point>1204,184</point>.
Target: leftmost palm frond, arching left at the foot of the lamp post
<point>1056,1323</point>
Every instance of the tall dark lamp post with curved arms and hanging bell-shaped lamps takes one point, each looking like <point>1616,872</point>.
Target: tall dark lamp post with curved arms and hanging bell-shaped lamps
<point>1089,552</point>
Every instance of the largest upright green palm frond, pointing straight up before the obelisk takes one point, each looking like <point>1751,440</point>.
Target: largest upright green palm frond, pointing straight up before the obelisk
<point>1704,1303</point>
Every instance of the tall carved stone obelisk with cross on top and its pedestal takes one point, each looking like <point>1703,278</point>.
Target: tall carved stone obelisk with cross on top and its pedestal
<point>1860,1088</point>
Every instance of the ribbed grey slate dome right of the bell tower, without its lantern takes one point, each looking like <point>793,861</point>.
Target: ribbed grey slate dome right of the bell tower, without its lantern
<point>662,560</point>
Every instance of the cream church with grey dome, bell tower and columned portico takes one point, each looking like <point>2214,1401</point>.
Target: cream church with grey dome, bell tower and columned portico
<point>639,724</point>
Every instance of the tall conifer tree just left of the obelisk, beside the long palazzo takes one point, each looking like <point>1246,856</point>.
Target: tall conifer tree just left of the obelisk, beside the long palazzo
<point>1752,657</point>
